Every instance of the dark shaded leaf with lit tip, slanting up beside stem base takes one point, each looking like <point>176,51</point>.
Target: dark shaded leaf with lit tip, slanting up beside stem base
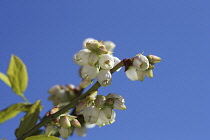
<point>29,120</point>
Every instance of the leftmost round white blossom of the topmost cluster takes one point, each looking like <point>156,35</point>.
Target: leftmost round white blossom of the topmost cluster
<point>81,58</point>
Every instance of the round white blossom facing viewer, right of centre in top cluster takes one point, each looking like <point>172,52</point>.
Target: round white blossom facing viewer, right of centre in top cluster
<point>106,61</point>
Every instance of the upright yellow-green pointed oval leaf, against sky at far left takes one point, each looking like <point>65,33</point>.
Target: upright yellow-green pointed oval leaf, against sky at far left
<point>17,75</point>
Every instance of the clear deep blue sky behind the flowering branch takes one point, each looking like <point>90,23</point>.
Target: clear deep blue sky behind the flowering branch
<point>174,105</point>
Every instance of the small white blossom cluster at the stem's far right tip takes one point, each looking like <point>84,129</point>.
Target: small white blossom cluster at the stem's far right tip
<point>142,66</point>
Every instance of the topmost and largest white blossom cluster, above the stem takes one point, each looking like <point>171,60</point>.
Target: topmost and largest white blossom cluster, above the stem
<point>96,60</point>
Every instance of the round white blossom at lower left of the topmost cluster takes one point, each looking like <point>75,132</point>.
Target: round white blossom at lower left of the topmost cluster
<point>89,72</point>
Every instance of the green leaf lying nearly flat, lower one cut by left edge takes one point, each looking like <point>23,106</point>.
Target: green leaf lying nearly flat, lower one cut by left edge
<point>12,111</point>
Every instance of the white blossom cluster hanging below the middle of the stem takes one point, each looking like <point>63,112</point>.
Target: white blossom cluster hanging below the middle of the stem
<point>100,110</point>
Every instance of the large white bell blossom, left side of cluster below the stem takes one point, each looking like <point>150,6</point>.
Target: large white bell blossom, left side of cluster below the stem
<point>91,114</point>
